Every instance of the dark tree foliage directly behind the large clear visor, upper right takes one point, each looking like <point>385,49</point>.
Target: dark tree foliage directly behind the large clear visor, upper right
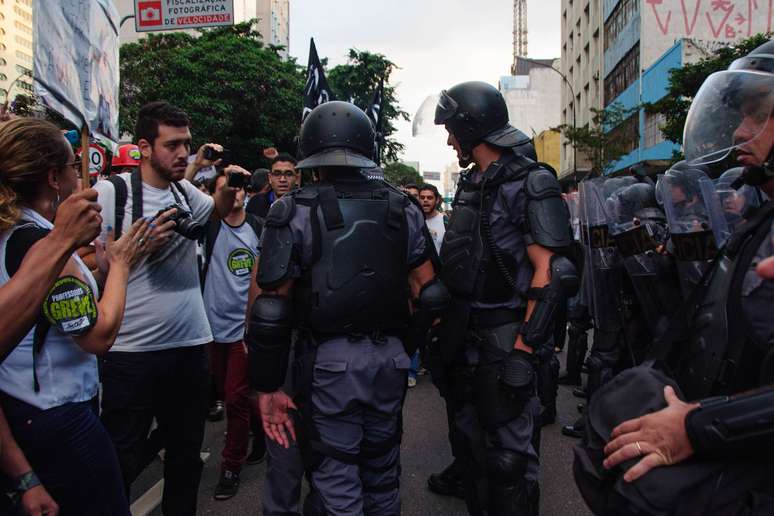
<point>685,82</point>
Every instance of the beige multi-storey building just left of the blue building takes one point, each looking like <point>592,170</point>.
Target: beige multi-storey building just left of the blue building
<point>582,67</point>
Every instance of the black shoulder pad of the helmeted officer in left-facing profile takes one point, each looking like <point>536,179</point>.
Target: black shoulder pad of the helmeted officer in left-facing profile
<point>547,218</point>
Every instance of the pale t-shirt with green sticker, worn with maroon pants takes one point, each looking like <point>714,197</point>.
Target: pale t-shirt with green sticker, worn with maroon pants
<point>228,280</point>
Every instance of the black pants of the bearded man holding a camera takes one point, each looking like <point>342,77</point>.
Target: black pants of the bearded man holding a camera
<point>171,386</point>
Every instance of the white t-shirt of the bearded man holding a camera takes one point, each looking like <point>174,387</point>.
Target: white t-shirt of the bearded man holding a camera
<point>164,306</point>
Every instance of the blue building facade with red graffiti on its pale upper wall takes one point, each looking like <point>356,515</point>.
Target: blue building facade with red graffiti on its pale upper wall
<point>643,41</point>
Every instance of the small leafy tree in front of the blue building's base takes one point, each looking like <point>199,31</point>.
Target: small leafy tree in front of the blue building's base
<point>599,141</point>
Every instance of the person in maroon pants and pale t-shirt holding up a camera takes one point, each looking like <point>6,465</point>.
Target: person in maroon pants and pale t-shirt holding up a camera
<point>231,248</point>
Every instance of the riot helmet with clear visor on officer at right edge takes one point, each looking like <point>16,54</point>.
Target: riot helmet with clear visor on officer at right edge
<point>733,108</point>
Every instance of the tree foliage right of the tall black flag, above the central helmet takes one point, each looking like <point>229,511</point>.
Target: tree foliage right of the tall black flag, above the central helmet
<point>357,80</point>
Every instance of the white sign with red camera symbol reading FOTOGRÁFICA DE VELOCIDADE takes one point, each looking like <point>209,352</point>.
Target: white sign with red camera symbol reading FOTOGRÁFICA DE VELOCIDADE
<point>153,15</point>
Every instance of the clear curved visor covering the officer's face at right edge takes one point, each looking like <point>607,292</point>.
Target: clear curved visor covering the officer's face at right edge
<point>731,109</point>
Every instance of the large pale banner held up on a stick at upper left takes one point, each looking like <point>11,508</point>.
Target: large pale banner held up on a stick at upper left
<point>76,62</point>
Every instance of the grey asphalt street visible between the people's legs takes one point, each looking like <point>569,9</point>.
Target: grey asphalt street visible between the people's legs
<point>425,450</point>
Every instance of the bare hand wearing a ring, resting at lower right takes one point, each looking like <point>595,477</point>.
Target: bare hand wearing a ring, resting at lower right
<point>659,438</point>
